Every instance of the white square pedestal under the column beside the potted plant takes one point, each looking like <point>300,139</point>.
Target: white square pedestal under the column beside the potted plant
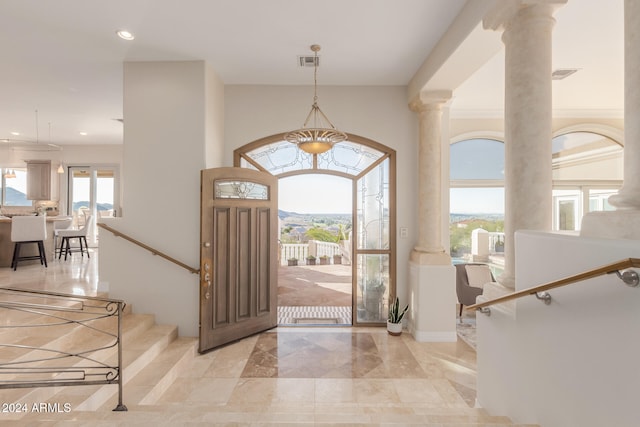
<point>432,313</point>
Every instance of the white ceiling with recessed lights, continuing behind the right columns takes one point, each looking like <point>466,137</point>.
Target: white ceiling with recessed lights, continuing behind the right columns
<point>63,59</point>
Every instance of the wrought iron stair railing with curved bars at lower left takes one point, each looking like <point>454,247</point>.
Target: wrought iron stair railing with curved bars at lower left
<point>83,334</point>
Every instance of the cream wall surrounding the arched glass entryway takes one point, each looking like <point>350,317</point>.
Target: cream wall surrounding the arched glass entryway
<point>378,113</point>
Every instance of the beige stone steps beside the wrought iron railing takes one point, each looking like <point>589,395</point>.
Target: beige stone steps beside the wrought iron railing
<point>153,357</point>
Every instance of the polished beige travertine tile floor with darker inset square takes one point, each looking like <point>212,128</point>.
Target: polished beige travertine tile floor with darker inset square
<point>290,375</point>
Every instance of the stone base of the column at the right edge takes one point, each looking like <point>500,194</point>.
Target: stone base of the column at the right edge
<point>622,224</point>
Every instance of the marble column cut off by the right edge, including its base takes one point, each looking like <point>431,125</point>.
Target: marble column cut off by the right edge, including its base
<point>625,222</point>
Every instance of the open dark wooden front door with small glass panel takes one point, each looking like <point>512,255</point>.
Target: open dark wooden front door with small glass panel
<point>238,255</point>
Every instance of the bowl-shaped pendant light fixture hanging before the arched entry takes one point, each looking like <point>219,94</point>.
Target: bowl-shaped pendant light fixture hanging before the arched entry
<point>317,135</point>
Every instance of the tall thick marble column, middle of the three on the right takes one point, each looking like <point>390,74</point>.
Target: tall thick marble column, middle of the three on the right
<point>527,30</point>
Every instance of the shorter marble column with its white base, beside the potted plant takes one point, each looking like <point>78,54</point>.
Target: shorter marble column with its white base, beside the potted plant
<point>431,276</point>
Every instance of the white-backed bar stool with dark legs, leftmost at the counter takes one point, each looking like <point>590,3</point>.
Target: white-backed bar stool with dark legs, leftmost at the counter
<point>25,230</point>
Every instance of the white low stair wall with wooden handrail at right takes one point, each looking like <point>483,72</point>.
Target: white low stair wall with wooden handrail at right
<point>591,381</point>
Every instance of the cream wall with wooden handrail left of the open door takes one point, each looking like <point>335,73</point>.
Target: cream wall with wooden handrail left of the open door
<point>165,147</point>
